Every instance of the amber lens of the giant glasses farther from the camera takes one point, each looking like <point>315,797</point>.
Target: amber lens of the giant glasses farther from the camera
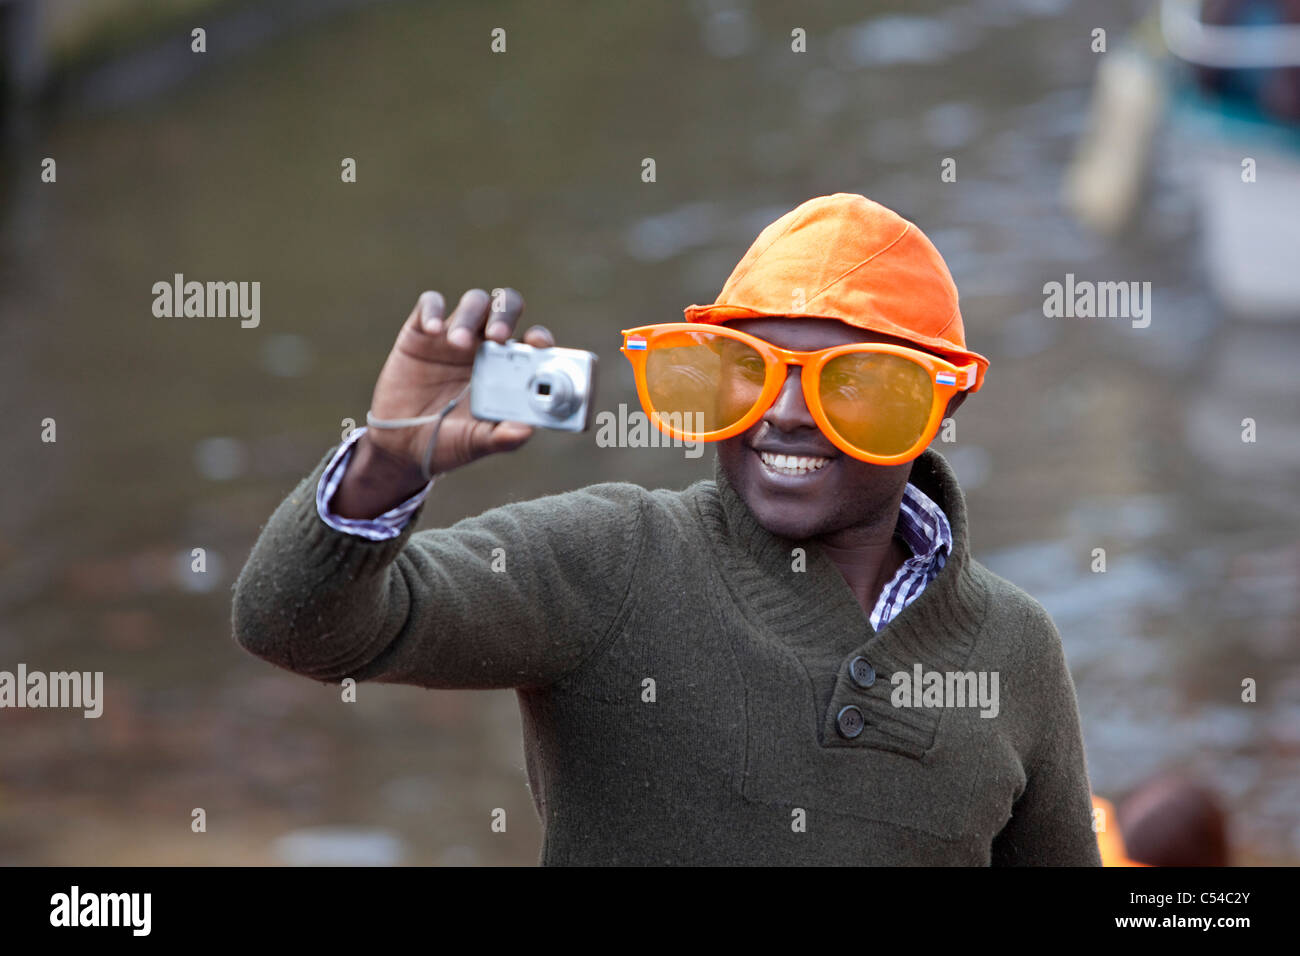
<point>877,403</point>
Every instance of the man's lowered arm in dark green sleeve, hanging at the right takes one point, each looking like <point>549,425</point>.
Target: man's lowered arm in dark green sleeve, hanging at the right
<point>1052,823</point>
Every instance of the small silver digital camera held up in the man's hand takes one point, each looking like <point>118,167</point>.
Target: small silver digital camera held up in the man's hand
<point>549,388</point>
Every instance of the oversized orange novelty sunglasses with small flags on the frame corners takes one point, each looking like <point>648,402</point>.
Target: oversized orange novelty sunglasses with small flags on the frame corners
<point>879,404</point>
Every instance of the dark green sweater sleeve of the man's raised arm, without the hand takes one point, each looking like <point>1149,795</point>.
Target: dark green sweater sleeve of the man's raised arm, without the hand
<point>515,598</point>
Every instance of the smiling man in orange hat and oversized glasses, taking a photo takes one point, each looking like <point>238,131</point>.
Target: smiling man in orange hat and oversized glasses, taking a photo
<point>722,674</point>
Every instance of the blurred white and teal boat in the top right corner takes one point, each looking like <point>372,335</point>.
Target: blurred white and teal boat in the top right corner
<point>1212,83</point>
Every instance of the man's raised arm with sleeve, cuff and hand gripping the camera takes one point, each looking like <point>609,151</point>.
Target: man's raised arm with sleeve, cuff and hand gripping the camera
<point>515,598</point>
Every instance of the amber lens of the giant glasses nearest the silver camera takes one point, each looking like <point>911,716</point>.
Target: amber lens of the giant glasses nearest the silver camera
<point>703,382</point>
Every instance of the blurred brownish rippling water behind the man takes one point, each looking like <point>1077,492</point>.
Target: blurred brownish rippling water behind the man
<point>525,170</point>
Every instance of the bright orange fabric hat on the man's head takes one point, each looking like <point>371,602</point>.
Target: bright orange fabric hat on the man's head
<point>846,257</point>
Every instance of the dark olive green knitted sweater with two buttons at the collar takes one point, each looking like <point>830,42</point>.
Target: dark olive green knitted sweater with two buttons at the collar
<point>682,676</point>
